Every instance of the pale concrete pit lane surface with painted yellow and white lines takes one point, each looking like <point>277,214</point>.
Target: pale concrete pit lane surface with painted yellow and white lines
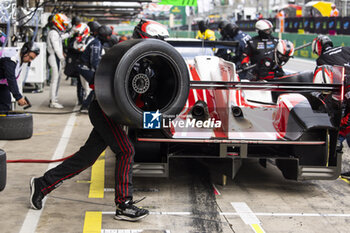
<point>191,200</point>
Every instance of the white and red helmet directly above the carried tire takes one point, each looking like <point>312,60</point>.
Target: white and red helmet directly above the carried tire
<point>150,29</point>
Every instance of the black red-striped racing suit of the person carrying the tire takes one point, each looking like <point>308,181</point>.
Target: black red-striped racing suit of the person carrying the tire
<point>105,133</point>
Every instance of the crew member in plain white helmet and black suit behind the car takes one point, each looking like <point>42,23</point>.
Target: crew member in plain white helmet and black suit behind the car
<point>260,51</point>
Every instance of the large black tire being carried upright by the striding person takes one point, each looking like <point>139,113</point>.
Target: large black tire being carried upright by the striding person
<point>150,70</point>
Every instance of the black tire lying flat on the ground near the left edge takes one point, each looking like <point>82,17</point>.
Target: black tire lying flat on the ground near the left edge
<point>15,126</point>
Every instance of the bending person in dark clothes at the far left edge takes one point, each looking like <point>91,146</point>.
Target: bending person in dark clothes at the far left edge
<point>10,69</point>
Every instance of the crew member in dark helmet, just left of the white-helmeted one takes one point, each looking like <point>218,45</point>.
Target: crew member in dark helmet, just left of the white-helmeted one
<point>235,55</point>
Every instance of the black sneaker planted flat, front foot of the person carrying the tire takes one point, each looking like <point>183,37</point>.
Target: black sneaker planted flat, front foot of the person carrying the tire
<point>129,212</point>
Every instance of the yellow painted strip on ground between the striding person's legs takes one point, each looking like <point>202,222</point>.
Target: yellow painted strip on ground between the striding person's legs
<point>97,185</point>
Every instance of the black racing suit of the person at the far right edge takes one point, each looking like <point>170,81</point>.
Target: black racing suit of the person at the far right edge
<point>340,56</point>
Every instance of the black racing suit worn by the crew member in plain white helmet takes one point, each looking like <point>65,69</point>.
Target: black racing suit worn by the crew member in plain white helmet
<point>260,51</point>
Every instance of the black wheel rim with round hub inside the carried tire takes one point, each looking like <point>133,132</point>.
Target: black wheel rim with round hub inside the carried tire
<point>152,82</point>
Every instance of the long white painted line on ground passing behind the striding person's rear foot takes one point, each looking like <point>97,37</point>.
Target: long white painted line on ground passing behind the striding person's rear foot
<point>33,216</point>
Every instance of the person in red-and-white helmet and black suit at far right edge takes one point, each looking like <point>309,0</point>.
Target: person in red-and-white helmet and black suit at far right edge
<point>329,55</point>
